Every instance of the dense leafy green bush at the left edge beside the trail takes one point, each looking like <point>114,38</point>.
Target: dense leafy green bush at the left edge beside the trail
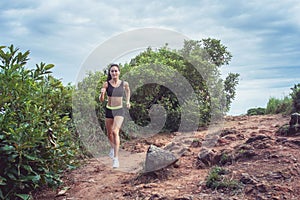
<point>35,139</point>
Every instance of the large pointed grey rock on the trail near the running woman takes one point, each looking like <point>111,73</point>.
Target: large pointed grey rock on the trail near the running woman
<point>158,158</point>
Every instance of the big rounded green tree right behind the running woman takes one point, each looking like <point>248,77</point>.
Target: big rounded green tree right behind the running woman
<point>198,62</point>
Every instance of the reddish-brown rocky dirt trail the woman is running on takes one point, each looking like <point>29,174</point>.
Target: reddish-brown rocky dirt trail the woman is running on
<point>249,160</point>
